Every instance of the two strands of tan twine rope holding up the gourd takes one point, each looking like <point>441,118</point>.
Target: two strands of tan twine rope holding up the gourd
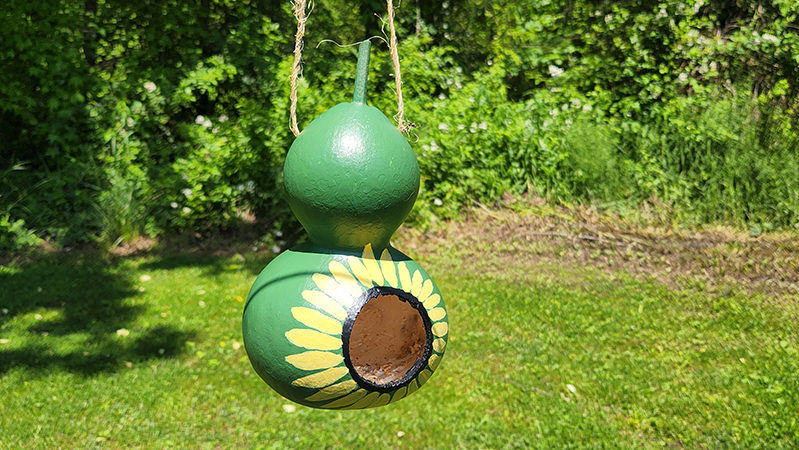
<point>299,7</point>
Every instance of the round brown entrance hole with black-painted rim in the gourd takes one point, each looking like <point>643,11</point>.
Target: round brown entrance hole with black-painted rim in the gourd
<point>387,339</point>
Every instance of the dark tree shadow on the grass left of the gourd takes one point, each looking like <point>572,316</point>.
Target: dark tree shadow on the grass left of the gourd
<point>65,316</point>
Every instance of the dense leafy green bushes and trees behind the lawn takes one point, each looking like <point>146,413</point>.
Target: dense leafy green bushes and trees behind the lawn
<point>119,119</point>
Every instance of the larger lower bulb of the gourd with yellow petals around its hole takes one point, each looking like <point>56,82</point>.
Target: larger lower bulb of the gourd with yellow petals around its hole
<point>344,331</point>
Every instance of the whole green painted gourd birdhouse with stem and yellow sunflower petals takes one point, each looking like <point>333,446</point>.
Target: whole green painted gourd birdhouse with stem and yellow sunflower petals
<point>345,321</point>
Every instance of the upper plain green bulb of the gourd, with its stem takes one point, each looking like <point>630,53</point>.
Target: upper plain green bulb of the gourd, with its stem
<point>351,176</point>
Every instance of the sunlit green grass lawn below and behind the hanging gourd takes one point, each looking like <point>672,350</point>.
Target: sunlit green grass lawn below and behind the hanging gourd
<point>550,347</point>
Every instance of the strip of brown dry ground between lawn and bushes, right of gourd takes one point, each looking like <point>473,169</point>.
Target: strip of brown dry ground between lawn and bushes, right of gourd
<point>719,260</point>
